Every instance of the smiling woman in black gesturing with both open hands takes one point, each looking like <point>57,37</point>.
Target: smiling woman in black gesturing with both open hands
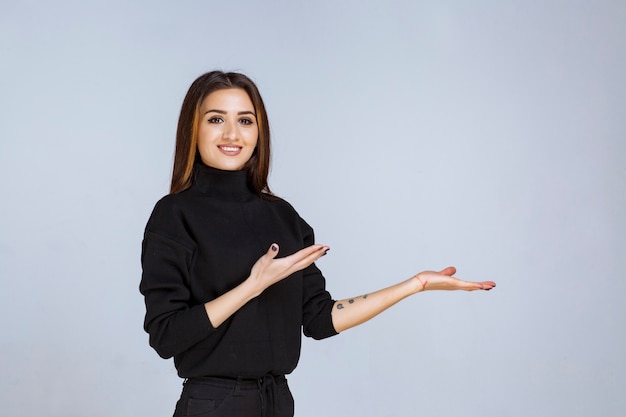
<point>229,278</point>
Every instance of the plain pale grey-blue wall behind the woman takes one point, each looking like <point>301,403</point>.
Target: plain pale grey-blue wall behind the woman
<point>412,135</point>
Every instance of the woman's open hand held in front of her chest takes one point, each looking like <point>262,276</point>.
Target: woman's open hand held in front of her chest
<point>268,270</point>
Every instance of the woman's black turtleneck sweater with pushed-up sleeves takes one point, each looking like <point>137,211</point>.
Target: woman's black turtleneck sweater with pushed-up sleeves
<point>201,243</point>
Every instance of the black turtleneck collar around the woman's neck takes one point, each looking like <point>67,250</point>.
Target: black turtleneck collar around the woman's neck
<point>222,184</point>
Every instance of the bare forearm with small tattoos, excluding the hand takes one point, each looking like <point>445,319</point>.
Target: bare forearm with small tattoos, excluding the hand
<point>354,311</point>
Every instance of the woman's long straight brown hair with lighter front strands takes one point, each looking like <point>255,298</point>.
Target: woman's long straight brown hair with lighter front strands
<point>186,154</point>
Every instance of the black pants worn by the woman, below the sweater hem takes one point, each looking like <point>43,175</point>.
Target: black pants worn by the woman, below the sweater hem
<point>220,397</point>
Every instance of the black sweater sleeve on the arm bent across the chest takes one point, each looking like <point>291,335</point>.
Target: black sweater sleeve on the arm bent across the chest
<point>173,323</point>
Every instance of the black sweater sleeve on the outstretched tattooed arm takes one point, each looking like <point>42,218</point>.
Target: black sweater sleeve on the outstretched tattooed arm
<point>317,303</point>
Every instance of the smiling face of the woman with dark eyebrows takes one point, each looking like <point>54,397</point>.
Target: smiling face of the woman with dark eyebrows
<point>228,131</point>
